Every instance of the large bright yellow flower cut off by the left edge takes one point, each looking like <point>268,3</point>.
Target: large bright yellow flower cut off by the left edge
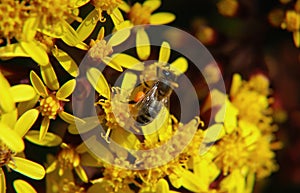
<point>12,130</point>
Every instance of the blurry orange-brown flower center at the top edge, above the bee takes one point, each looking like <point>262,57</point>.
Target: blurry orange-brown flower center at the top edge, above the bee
<point>139,14</point>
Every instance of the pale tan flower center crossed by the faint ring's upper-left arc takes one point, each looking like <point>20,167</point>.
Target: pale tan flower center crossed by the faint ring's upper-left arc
<point>99,50</point>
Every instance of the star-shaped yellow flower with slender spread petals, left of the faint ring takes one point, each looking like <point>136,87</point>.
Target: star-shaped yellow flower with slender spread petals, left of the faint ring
<point>52,102</point>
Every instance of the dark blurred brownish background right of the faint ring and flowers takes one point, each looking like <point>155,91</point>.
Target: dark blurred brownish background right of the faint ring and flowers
<point>248,37</point>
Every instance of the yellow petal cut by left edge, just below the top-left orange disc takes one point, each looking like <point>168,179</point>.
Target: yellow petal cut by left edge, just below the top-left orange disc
<point>13,50</point>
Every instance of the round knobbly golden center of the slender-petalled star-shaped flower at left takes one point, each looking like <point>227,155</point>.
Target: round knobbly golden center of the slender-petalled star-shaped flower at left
<point>50,106</point>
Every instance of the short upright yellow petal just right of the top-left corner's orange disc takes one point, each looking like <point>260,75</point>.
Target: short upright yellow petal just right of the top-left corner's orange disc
<point>30,28</point>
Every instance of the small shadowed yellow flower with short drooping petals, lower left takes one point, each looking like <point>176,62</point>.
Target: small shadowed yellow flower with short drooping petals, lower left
<point>68,159</point>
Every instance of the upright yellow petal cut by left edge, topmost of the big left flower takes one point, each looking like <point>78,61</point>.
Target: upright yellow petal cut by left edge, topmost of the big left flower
<point>6,103</point>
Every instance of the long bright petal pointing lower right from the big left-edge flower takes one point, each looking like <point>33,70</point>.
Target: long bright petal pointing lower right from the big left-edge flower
<point>27,168</point>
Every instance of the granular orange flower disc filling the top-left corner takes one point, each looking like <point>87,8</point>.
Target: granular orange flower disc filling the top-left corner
<point>12,17</point>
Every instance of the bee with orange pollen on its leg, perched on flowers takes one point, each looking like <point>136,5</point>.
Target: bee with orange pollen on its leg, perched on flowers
<point>149,104</point>
